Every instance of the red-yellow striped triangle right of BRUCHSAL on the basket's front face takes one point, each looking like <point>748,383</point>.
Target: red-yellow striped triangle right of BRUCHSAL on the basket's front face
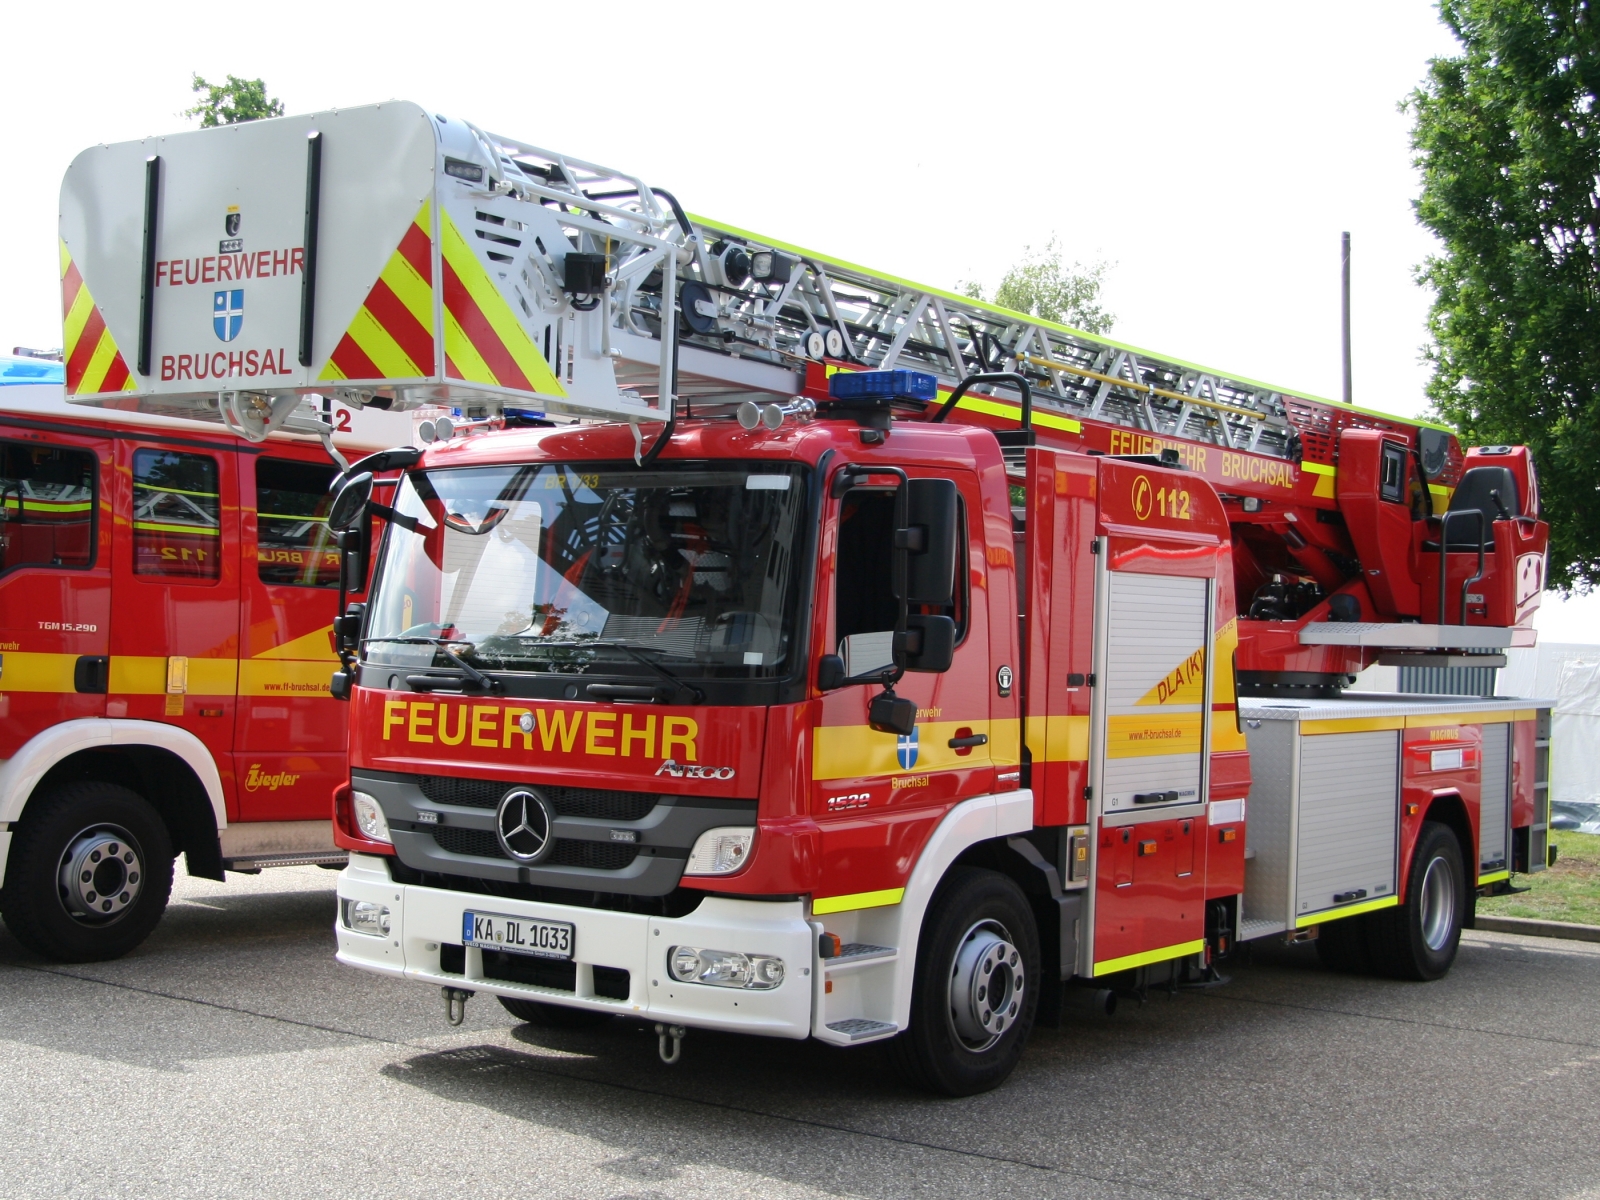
<point>393,334</point>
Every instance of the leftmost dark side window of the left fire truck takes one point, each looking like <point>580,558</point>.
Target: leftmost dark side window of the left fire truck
<point>47,506</point>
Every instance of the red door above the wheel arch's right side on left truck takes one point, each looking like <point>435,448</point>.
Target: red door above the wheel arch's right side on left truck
<point>175,577</point>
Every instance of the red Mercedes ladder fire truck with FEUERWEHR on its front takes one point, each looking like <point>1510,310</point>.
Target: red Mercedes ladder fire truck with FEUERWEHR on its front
<point>782,647</point>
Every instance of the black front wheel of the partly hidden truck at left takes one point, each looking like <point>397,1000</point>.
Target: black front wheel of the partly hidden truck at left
<point>89,876</point>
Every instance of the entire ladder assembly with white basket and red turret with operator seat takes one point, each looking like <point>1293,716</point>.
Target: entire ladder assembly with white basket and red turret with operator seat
<point>394,258</point>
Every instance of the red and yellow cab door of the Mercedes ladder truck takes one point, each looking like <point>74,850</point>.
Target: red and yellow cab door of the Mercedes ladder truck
<point>879,796</point>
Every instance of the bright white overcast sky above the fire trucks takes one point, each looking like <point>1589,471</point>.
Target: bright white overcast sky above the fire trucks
<point>1212,153</point>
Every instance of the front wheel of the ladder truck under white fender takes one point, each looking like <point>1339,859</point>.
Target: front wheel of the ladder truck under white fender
<point>978,930</point>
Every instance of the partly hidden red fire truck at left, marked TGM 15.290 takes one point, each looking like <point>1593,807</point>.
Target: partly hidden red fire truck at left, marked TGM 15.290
<point>167,594</point>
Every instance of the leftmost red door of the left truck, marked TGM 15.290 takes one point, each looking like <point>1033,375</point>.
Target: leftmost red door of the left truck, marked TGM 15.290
<point>55,580</point>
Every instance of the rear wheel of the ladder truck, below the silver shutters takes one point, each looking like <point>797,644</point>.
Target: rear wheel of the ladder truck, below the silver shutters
<point>1418,940</point>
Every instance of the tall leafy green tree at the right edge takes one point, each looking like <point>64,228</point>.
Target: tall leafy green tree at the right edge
<point>1508,140</point>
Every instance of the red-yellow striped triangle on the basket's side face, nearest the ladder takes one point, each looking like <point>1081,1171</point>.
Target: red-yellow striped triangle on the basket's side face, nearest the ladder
<point>484,340</point>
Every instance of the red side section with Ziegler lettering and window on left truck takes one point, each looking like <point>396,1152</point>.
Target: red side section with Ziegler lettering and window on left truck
<point>290,730</point>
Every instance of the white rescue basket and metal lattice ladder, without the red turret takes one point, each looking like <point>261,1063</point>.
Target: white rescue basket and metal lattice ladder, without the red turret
<point>394,257</point>
